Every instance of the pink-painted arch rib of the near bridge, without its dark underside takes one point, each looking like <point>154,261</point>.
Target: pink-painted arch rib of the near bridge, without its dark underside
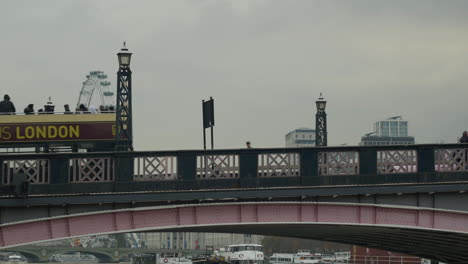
<point>231,214</point>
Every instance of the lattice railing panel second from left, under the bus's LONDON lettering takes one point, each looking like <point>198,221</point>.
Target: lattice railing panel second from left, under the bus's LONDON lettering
<point>92,170</point>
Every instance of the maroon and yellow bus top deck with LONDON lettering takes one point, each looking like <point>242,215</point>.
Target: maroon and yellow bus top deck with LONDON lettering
<point>56,132</point>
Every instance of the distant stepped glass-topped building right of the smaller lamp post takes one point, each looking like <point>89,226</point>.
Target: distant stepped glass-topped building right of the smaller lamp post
<point>392,131</point>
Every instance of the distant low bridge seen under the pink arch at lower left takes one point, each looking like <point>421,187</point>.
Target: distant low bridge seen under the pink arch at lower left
<point>105,255</point>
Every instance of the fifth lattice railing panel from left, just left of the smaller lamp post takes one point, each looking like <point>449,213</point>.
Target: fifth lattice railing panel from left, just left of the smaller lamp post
<point>278,165</point>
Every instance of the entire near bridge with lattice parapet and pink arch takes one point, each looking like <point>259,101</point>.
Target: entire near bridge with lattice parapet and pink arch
<point>410,199</point>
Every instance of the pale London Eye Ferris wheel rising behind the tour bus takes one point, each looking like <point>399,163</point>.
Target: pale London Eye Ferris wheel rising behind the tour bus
<point>96,91</point>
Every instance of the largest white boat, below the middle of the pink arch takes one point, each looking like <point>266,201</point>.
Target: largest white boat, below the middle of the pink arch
<point>243,254</point>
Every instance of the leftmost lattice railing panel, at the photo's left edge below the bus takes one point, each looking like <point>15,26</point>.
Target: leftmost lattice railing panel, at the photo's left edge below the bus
<point>34,171</point>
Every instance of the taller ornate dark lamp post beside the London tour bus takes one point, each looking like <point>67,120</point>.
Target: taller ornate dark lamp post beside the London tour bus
<point>124,135</point>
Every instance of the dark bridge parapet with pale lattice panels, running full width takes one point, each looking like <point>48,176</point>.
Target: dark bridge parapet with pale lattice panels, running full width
<point>234,168</point>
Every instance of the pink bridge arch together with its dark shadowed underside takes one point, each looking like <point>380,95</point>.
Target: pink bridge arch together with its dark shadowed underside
<point>431,233</point>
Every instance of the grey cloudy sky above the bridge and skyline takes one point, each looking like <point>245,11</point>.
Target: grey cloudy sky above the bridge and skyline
<point>264,62</point>
